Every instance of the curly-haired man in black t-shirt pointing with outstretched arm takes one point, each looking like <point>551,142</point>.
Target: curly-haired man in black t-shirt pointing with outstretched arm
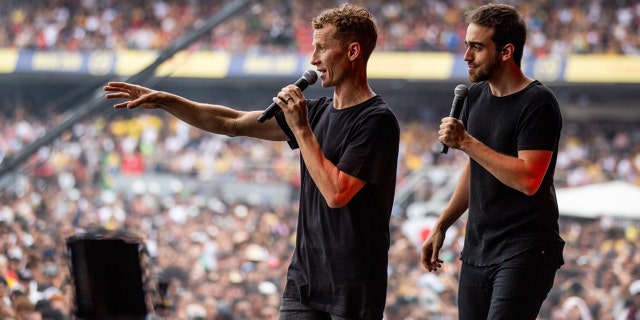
<point>349,149</point>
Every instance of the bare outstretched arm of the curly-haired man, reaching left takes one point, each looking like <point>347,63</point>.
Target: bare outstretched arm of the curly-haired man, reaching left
<point>213,118</point>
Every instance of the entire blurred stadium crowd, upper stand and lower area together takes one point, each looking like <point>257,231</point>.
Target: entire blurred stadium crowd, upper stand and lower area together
<point>226,258</point>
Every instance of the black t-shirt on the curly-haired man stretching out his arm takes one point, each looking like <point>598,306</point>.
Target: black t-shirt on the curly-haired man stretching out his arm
<point>341,256</point>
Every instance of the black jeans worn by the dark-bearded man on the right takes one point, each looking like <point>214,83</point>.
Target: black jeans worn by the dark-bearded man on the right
<point>514,289</point>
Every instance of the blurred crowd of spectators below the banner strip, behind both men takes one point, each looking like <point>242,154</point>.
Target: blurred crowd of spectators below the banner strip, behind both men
<point>225,258</point>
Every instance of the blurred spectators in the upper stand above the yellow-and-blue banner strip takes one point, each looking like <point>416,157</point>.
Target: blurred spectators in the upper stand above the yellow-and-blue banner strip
<point>556,27</point>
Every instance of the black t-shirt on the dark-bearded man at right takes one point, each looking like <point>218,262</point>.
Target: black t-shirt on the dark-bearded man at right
<point>503,222</point>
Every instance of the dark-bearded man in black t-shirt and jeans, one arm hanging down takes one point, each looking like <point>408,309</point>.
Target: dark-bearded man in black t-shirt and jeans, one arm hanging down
<point>510,128</point>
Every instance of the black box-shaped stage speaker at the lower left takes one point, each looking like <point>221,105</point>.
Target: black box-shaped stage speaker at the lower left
<point>108,279</point>
